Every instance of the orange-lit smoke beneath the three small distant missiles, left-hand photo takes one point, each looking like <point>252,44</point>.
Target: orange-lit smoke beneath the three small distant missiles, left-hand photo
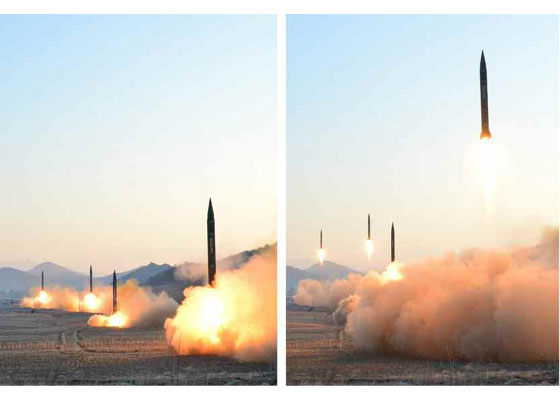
<point>137,306</point>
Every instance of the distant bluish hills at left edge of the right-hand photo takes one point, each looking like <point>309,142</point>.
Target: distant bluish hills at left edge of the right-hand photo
<point>327,272</point>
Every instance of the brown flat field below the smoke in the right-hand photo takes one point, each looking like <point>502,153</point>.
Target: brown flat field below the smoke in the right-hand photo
<point>319,354</point>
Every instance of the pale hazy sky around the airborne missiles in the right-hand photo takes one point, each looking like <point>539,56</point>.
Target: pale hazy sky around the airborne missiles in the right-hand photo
<point>384,117</point>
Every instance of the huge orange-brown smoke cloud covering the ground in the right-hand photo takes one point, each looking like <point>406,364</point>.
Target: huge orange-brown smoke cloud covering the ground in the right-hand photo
<point>478,305</point>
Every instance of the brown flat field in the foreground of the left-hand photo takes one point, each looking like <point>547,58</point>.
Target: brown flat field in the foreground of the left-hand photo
<point>50,347</point>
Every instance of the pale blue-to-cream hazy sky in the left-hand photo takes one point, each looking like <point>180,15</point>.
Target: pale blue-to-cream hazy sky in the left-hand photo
<point>117,129</point>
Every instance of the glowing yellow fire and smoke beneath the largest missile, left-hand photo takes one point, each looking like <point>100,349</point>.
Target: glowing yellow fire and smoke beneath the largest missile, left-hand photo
<point>235,318</point>
